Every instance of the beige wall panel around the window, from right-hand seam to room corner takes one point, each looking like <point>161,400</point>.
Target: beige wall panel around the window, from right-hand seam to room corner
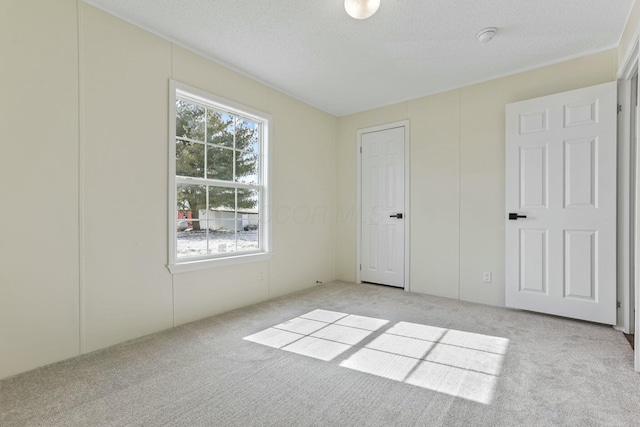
<point>302,200</point>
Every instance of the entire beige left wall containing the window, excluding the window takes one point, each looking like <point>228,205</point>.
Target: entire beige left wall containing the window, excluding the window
<point>85,126</point>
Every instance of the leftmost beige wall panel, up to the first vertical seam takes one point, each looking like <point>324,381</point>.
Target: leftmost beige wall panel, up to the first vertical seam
<point>38,173</point>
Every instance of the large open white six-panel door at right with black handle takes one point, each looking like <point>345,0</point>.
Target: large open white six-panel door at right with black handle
<point>561,186</point>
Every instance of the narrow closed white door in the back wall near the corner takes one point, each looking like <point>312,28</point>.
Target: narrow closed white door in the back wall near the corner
<point>383,213</point>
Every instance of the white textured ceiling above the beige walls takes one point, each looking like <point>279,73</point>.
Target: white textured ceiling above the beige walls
<point>313,51</point>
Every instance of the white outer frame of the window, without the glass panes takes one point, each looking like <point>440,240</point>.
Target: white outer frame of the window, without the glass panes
<point>178,265</point>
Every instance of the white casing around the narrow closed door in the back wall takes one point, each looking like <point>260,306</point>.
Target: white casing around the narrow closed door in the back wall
<point>407,194</point>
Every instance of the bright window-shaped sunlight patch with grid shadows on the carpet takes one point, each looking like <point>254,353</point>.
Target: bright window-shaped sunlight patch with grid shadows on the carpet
<point>457,363</point>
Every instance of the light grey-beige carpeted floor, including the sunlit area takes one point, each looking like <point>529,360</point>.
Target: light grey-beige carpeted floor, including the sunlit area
<point>544,370</point>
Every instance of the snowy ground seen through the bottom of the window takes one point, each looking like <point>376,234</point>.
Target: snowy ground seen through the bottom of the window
<point>194,243</point>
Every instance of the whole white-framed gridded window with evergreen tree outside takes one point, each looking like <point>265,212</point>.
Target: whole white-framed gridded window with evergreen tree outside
<point>218,181</point>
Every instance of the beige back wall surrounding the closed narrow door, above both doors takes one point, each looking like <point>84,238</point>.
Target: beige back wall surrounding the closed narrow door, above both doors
<point>457,177</point>
